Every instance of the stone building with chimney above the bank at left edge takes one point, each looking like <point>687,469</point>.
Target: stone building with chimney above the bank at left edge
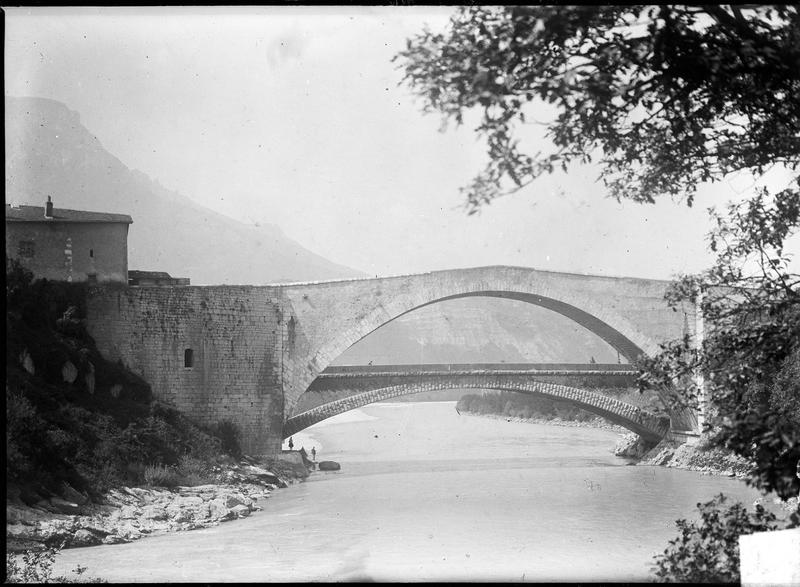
<point>69,245</point>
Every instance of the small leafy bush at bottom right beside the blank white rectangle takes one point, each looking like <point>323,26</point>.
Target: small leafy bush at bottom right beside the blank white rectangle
<point>708,551</point>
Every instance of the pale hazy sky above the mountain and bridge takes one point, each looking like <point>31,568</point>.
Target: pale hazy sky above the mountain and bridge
<point>293,116</point>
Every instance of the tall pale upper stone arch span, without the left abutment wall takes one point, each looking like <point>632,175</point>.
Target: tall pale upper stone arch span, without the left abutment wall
<point>629,314</point>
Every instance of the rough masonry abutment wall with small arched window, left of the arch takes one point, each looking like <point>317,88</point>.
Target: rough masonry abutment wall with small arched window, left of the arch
<point>236,335</point>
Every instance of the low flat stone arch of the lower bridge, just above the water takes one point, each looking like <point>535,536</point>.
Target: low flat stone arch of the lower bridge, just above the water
<point>650,427</point>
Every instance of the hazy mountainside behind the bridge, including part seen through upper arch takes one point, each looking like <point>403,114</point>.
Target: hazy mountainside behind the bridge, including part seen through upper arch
<point>49,152</point>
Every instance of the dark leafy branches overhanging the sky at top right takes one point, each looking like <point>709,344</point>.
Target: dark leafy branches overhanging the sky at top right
<point>663,97</point>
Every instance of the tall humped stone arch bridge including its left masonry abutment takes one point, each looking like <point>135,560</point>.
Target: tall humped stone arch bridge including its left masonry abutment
<point>256,350</point>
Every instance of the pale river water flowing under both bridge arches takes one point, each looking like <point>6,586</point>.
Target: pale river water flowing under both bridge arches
<point>427,494</point>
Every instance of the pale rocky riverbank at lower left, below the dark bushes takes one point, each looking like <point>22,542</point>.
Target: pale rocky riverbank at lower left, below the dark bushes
<point>129,513</point>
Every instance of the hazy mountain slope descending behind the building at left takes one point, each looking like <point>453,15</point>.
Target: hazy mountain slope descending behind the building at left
<point>49,152</point>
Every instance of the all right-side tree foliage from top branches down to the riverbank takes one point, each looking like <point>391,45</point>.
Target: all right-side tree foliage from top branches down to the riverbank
<point>663,99</point>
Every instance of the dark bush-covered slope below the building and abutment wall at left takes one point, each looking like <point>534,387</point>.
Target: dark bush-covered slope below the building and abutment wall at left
<point>74,418</point>
